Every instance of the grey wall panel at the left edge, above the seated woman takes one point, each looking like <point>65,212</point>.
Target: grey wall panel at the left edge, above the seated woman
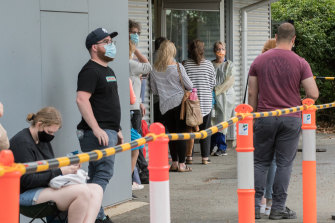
<point>20,62</point>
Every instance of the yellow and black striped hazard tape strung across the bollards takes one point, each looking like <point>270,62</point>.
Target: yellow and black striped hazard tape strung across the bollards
<point>44,165</point>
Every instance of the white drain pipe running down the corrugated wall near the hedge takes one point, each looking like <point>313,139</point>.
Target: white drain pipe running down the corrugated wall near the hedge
<point>244,14</point>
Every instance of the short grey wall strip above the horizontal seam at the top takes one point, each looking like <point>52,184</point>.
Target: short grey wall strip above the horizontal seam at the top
<point>64,5</point>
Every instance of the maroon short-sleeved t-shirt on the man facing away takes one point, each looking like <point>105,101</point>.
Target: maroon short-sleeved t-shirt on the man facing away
<point>279,74</point>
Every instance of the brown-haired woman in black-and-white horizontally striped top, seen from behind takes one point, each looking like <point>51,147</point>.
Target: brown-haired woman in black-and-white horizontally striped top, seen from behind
<point>202,74</point>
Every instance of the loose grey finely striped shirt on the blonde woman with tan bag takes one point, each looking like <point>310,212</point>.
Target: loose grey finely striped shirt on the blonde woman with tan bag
<point>168,87</point>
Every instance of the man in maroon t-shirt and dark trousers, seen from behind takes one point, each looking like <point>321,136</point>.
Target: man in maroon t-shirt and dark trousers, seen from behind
<point>274,83</point>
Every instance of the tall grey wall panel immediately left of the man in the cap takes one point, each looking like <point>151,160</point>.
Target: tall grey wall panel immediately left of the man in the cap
<point>63,55</point>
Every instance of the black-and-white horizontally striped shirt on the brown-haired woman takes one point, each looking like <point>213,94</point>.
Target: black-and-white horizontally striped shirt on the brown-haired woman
<point>203,79</point>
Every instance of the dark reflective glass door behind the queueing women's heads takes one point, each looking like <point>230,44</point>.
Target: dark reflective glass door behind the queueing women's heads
<point>183,26</point>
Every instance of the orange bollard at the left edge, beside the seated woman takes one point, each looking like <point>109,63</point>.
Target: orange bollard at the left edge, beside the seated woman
<point>9,190</point>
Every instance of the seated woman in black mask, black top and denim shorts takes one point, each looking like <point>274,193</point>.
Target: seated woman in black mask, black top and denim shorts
<point>82,201</point>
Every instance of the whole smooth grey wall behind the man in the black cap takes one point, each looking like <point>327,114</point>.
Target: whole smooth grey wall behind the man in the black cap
<point>42,50</point>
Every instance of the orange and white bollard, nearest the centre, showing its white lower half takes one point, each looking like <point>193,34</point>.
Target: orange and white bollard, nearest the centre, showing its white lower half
<point>159,176</point>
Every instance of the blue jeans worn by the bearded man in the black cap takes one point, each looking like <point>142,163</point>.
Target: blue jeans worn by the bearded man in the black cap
<point>100,171</point>
